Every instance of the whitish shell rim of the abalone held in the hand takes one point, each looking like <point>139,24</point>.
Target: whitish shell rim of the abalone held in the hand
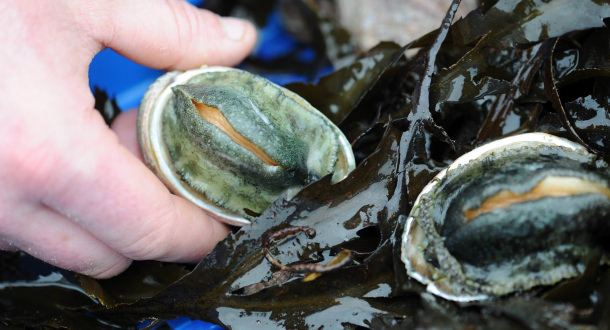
<point>158,158</point>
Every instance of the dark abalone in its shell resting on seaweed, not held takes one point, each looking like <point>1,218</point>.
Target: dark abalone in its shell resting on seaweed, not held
<point>520,212</point>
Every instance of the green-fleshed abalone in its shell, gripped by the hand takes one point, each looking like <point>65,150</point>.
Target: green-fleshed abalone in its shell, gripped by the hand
<point>232,142</point>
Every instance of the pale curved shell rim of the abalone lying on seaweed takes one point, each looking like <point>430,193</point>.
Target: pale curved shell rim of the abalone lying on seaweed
<point>411,224</point>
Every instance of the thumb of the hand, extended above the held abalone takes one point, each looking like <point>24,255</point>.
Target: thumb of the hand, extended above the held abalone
<point>170,34</point>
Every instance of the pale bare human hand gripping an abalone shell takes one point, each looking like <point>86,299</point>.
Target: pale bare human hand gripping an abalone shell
<point>74,192</point>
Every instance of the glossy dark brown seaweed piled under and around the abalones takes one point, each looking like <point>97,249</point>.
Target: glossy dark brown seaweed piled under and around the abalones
<point>509,67</point>
